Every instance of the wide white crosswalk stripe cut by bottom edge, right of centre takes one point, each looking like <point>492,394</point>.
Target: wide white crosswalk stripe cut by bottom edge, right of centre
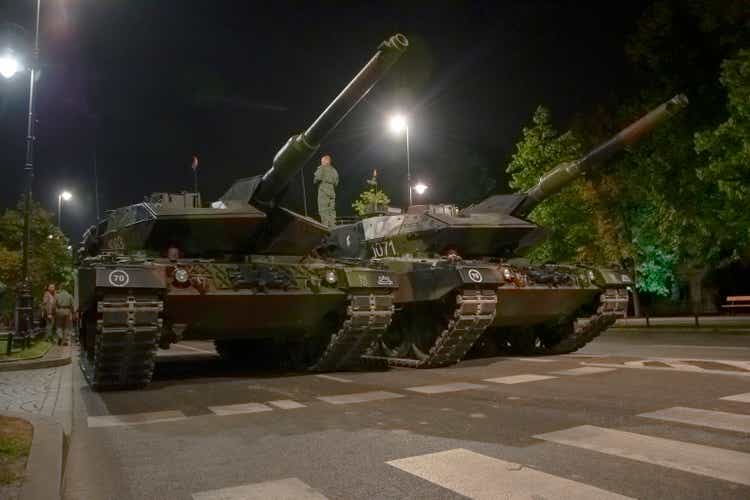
<point>481,477</point>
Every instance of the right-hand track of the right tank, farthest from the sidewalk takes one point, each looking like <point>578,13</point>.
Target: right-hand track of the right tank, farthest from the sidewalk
<point>613,303</point>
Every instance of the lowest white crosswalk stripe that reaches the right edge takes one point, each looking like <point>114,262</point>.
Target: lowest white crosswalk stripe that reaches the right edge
<point>717,463</point>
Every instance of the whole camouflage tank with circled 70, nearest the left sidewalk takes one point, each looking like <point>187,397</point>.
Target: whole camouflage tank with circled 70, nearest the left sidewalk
<point>240,272</point>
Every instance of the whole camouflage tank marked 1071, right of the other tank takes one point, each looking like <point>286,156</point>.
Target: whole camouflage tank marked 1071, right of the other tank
<point>460,276</point>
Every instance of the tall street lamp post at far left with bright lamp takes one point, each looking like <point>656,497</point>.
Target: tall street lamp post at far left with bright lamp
<point>24,299</point>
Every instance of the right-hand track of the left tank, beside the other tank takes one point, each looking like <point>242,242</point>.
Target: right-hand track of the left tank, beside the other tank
<point>368,316</point>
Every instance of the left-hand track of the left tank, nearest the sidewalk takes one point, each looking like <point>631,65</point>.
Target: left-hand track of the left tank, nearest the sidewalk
<point>127,338</point>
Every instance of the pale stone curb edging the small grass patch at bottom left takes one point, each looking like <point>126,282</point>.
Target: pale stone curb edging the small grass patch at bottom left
<point>43,478</point>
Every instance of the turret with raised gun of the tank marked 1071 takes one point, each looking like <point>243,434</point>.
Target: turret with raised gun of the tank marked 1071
<point>494,227</point>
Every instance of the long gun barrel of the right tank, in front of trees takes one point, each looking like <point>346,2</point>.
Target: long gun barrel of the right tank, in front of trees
<point>560,176</point>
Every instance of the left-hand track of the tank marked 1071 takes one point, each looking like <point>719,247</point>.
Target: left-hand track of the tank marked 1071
<point>474,312</point>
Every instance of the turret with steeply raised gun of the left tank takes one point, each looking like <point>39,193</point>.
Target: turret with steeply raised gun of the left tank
<point>247,219</point>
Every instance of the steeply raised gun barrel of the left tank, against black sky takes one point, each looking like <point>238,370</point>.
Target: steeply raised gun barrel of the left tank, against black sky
<point>300,148</point>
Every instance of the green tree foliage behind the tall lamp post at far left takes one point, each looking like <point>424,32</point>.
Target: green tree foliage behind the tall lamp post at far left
<point>50,260</point>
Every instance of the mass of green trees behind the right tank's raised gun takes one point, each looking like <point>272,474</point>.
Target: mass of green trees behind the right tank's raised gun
<point>677,200</point>
